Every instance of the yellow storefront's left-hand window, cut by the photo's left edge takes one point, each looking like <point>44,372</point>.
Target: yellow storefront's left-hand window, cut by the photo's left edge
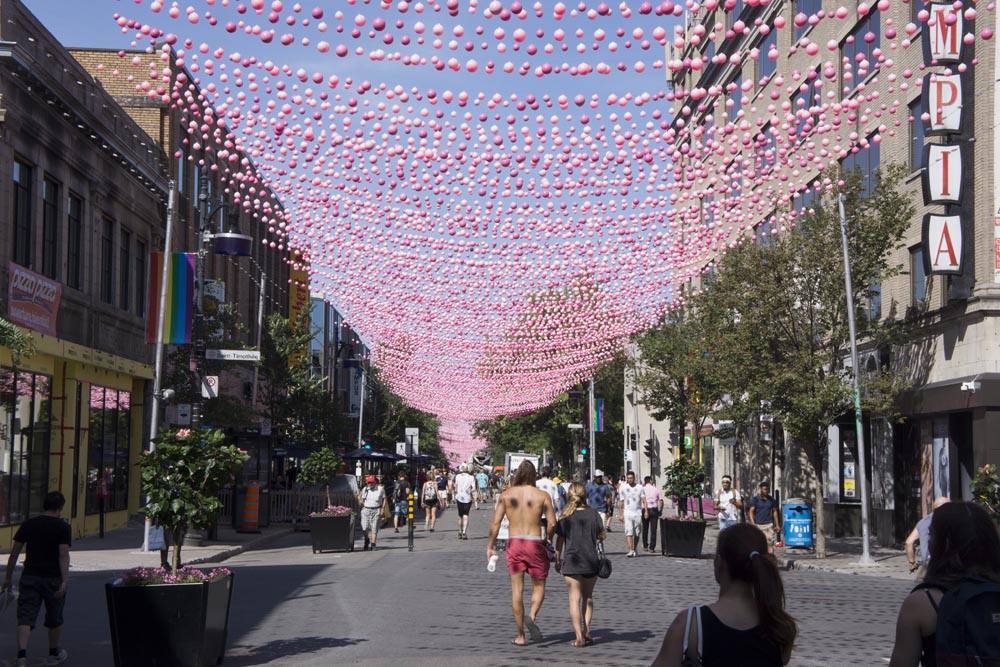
<point>25,428</point>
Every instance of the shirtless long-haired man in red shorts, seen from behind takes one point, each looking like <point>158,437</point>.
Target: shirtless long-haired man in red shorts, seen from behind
<point>524,506</point>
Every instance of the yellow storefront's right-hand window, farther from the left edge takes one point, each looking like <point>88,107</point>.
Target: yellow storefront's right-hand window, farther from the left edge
<point>107,449</point>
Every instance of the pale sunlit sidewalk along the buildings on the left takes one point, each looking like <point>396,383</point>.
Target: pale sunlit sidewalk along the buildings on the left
<point>120,550</point>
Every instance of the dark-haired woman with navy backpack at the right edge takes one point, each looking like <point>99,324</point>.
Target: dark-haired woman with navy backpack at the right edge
<point>952,617</point>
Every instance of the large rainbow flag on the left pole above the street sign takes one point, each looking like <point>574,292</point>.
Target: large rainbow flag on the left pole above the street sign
<point>180,297</point>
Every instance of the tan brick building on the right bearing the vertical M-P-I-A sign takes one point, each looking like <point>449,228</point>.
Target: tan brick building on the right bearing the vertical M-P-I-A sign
<point>952,412</point>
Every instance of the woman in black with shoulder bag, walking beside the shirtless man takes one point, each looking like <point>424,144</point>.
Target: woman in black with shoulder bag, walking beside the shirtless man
<point>579,530</point>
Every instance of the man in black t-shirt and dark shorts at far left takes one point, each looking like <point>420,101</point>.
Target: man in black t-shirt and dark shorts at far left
<point>44,578</point>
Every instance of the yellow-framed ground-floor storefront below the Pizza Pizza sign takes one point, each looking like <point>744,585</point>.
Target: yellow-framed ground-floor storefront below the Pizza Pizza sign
<point>71,419</point>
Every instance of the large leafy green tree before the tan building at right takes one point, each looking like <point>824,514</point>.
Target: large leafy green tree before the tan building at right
<point>779,321</point>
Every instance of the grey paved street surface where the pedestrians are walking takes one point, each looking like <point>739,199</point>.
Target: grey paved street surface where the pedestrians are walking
<point>439,606</point>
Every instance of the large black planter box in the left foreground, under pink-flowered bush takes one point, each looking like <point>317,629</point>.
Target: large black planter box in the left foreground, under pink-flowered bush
<point>169,625</point>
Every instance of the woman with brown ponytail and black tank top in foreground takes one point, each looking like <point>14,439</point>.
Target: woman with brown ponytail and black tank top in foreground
<point>748,625</point>
